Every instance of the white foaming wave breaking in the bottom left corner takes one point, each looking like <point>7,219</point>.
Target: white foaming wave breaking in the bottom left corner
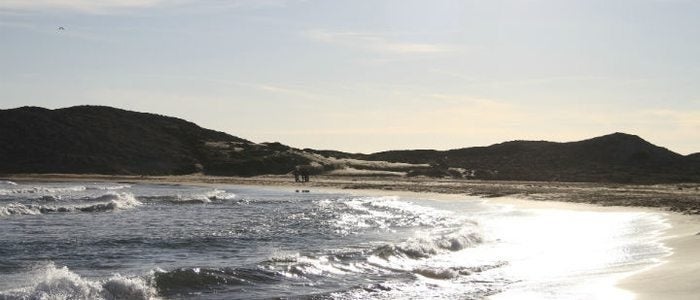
<point>51,282</point>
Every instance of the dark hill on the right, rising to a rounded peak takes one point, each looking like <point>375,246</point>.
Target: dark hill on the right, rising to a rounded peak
<point>616,157</point>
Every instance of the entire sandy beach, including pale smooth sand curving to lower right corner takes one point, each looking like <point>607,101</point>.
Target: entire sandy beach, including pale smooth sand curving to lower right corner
<point>675,277</point>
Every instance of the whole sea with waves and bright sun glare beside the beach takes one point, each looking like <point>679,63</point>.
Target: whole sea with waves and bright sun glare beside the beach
<point>84,240</point>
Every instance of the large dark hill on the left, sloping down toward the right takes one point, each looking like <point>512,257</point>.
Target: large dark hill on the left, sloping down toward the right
<point>105,140</point>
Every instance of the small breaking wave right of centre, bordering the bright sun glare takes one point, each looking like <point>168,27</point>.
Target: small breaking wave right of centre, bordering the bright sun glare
<point>423,248</point>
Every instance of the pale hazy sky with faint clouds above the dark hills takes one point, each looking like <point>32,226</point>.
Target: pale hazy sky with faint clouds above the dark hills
<point>368,75</point>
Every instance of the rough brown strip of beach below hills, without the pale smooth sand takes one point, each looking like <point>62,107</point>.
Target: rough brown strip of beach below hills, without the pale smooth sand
<point>682,197</point>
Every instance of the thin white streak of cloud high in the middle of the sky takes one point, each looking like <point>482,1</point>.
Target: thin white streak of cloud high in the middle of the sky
<point>374,42</point>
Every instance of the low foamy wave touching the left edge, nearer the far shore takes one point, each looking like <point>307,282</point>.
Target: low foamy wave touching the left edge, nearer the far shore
<point>115,201</point>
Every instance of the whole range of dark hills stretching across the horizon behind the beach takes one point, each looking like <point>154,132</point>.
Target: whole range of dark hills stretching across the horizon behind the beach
<point>105,140</point>
